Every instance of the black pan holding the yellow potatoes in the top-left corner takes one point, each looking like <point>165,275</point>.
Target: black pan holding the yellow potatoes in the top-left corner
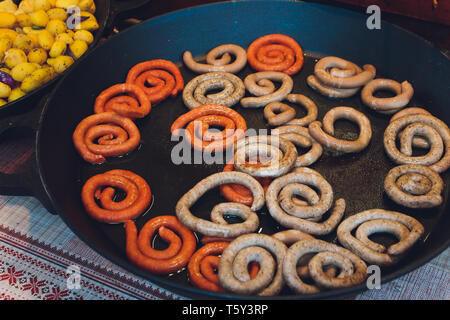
<point>106,13</point>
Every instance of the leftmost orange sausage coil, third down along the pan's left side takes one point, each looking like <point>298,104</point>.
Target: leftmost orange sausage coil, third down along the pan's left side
<point>115,135</point>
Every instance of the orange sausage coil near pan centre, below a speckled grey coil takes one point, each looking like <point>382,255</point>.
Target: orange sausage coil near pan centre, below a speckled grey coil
<point>198,121</point>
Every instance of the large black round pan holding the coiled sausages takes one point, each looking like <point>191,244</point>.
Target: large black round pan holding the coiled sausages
<point>59,172</point>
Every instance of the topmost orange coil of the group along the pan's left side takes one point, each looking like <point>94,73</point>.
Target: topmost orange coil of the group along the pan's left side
<point>158,78</point>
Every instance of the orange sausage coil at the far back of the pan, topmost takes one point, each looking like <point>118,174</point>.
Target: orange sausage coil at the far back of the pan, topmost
<point>275,52</point>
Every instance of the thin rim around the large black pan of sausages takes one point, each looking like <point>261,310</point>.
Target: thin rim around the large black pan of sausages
<point>180,289</point>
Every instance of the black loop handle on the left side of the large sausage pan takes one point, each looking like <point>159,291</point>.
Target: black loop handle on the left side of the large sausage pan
<point>27,182</point>
